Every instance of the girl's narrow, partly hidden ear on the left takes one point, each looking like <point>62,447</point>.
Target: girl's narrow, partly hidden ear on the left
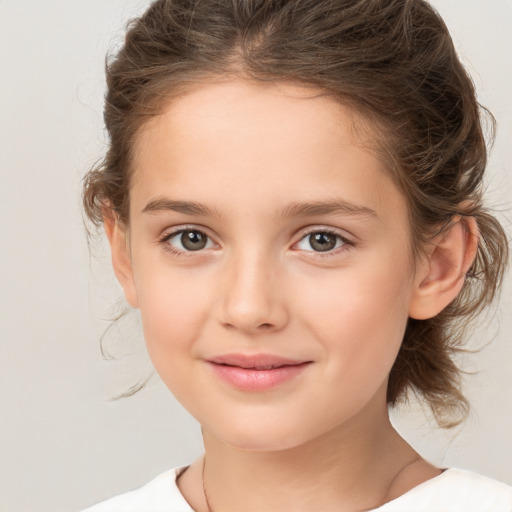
<point>121,261</point>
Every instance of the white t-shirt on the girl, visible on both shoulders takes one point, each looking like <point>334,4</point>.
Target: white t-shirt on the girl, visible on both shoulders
<point>454,490</point>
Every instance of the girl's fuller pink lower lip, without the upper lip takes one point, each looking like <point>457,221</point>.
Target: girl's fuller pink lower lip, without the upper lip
<point>247,379</point>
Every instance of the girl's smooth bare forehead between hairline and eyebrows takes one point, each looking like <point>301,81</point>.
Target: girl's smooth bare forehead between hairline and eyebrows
<point>282,141</point>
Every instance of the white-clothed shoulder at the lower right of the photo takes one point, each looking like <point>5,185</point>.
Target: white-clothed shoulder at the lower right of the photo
<point>455,490</point>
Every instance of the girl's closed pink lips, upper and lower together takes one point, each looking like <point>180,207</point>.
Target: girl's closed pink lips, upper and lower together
<point>256,373</point>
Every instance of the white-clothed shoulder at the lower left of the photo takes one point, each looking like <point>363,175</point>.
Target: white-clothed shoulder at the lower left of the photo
<point>159,495</point>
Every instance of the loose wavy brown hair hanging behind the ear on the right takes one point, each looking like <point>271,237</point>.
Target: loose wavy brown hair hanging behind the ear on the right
<point>425,363</point>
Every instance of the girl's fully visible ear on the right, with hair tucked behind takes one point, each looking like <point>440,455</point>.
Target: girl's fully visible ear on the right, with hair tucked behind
<point>441,274</point>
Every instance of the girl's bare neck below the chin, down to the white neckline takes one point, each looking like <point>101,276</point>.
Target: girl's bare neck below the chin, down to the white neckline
<point>351,468</point>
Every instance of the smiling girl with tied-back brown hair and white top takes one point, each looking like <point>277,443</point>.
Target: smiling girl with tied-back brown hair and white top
<point>293,198</point>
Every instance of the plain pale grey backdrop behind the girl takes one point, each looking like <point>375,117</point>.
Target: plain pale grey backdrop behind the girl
<point>63,443</point>
